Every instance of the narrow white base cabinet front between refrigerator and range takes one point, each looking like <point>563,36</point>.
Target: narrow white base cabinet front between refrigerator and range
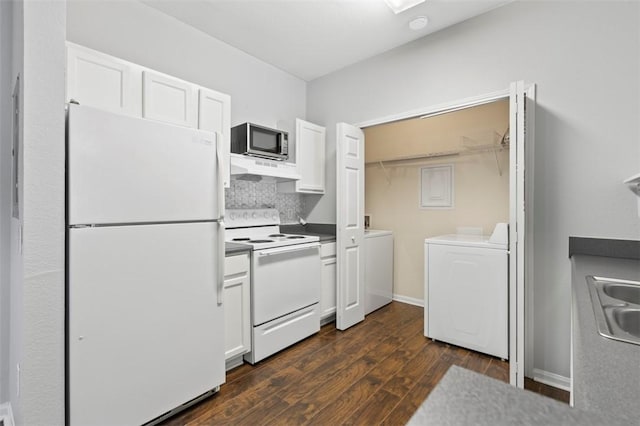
<point>237,326</point>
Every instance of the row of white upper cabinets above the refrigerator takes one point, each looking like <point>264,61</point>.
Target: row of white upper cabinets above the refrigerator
<point>102,81</point>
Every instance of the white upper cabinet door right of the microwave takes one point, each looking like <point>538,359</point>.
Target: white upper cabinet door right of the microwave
<point>310,157</point>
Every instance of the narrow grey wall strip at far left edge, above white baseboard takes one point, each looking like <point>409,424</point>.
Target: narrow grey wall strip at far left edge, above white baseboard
<point>6,72</point>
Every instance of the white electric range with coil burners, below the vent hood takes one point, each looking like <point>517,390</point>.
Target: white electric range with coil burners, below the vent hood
<point>285,280</point>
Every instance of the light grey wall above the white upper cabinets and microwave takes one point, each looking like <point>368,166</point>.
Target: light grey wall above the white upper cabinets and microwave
<point>132,31</point>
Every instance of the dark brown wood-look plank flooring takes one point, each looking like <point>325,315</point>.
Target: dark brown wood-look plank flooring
<point>377,372</point>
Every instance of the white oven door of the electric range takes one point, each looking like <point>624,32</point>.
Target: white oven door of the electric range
<point>284,280</point>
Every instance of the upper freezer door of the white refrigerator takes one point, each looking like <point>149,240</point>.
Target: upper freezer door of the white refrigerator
<point>129,170</point>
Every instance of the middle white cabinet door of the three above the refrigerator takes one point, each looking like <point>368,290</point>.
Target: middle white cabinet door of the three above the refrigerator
<point>168,99</point>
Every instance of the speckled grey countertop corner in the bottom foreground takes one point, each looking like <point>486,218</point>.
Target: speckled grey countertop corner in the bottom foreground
<point>464,397</point>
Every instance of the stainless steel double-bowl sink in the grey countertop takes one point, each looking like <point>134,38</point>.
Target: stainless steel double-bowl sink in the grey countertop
<point>616,305</point>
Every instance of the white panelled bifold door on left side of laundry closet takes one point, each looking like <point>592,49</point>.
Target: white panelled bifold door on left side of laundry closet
<point>350,225</point>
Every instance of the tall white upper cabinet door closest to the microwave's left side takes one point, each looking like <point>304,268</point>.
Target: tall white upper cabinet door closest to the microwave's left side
<point>214,115</point>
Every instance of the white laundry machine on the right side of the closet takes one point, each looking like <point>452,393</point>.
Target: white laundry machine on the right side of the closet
<point>466,292</point>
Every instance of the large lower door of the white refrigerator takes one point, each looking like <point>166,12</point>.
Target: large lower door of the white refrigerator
<point>145,333</point>
